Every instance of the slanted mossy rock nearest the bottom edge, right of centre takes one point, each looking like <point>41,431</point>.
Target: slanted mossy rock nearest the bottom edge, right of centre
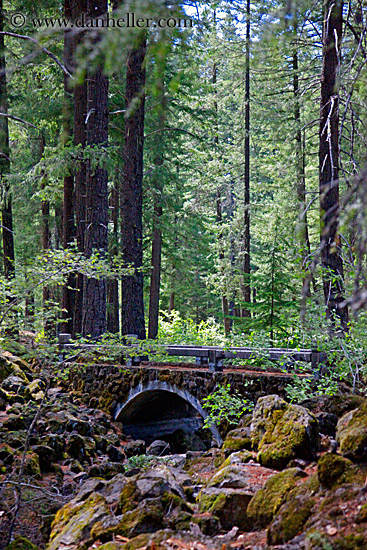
<point>290,519</point>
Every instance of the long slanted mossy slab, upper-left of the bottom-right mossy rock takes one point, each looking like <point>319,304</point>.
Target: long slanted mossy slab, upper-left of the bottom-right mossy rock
<point>267,501</point>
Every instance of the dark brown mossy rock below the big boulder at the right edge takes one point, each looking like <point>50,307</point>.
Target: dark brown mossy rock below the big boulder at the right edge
<point>334,470</point>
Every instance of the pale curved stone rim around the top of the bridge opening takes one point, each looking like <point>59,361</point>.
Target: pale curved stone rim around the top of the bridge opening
<point>152,388</point>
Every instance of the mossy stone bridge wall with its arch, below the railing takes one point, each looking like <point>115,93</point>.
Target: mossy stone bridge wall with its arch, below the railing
<point>152,401</point>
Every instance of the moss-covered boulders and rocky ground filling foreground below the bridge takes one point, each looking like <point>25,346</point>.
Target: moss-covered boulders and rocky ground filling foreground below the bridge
<point>288,477</point>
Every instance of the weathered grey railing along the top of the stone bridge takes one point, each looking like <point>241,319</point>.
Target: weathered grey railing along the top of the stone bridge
<point>211,356</point>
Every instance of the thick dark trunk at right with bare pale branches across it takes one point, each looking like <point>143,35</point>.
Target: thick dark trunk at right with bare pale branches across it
<point>332,263</point>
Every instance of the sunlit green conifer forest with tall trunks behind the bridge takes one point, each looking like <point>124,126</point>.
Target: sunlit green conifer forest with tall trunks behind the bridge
<point>193,183</point>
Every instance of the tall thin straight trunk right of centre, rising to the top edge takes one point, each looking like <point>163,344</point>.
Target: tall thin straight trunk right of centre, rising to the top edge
<point>246,222</point>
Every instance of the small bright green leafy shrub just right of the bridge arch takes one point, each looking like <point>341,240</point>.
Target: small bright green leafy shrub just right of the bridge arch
<point>224,405</point>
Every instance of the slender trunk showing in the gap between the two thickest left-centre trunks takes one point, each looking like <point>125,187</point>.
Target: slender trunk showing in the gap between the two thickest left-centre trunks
<point>113,310</point>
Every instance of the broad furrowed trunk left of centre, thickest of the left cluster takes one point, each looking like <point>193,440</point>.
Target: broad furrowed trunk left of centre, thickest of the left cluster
<point>96,236</point>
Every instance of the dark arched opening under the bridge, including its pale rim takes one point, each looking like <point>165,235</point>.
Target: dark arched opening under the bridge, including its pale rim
<point>159,410</point>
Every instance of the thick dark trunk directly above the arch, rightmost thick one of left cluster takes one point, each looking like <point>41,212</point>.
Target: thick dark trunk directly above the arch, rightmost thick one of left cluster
<point>132,194</point>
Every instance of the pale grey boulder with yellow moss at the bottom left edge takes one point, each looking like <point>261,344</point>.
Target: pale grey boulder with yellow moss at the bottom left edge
<point>74,522</point>
